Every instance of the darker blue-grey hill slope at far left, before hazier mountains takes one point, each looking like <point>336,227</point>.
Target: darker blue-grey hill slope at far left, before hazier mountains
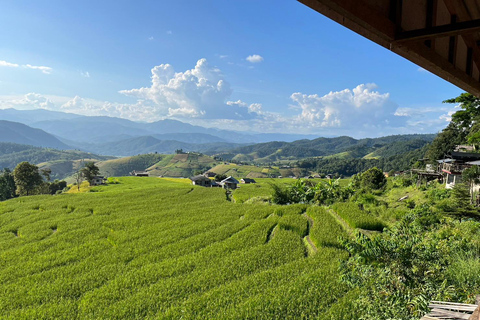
<point>16,132</point>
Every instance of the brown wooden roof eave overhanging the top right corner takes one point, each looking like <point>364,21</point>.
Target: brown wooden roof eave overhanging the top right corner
<point>441,36</point>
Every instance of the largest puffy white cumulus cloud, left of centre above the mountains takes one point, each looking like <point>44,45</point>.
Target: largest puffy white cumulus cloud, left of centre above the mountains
<point>201,92</point>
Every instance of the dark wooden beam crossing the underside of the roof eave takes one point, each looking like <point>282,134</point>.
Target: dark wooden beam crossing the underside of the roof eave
<point>447,30</point>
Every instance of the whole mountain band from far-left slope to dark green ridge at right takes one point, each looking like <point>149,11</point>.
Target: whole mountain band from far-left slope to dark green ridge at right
<point>121,137</point>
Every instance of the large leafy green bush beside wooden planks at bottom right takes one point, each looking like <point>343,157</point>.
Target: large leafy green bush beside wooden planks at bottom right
<point>402,269</point>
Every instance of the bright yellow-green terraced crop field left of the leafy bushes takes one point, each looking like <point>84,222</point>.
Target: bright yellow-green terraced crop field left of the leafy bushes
<point>163,249</point>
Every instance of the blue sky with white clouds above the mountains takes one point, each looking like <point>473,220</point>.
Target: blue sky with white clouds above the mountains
<point>266,66</point>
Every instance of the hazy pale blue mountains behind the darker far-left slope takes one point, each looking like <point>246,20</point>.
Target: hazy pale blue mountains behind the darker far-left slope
<point>121,137</point>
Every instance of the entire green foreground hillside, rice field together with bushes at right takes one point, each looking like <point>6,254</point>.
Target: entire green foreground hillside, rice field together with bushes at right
<point>162,248</point>
